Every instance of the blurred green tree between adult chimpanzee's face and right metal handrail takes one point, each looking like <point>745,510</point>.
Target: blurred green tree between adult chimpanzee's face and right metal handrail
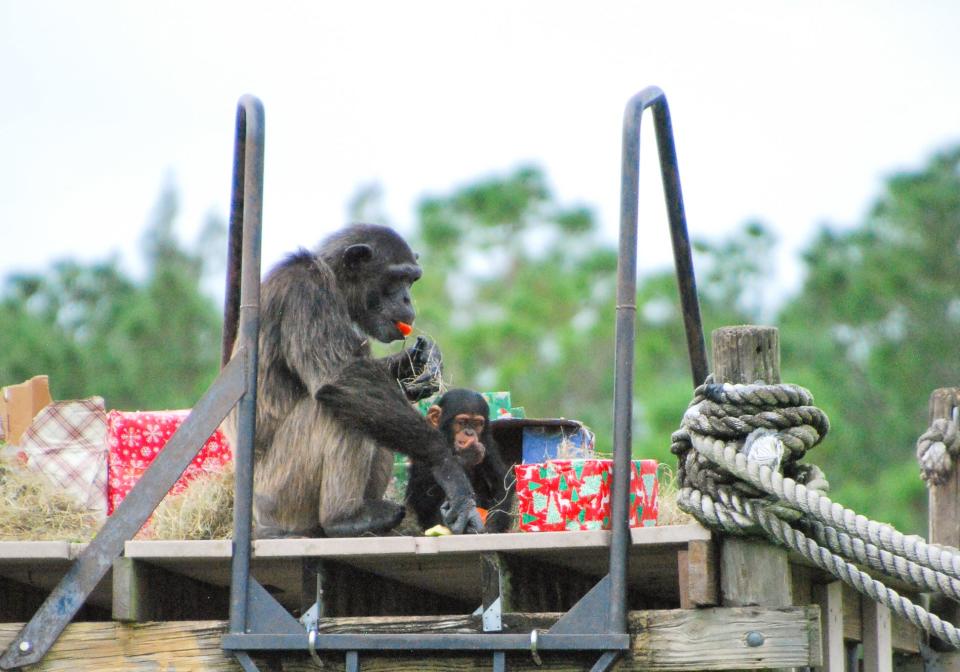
<point>517,290</point>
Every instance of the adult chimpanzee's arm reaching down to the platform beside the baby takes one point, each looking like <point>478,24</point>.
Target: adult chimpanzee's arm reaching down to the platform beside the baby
<point>364,397</point>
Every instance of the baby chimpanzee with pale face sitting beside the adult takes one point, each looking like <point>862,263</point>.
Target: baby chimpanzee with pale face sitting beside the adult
<point>462,417</point>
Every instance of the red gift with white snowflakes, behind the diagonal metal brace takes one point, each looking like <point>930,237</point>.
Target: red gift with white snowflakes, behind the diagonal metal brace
<point>134,439</point>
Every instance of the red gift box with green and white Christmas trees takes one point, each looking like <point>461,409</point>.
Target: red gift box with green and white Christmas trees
<point>575,494</point>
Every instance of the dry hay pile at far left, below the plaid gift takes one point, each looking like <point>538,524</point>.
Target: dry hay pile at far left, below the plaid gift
<point>32,508</point>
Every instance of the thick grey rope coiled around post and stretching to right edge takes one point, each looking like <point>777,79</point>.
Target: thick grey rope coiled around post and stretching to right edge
<point>739,448</point>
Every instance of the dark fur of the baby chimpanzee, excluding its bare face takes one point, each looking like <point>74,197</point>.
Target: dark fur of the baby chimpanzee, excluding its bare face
<point>488,478</point>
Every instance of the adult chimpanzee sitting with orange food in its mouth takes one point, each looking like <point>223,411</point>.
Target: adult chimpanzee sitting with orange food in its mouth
<point>326,411</point>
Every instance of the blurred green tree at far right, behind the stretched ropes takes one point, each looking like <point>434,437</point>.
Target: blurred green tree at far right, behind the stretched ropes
<point>875,330</point>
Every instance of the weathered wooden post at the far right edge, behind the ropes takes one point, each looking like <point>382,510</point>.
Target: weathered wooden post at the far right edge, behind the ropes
<point>943,514</point>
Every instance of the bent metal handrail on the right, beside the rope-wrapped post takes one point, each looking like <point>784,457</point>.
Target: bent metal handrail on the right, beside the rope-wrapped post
<point>654,98</point>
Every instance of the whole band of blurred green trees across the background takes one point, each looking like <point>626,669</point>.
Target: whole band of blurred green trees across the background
<point>519,291</point>
